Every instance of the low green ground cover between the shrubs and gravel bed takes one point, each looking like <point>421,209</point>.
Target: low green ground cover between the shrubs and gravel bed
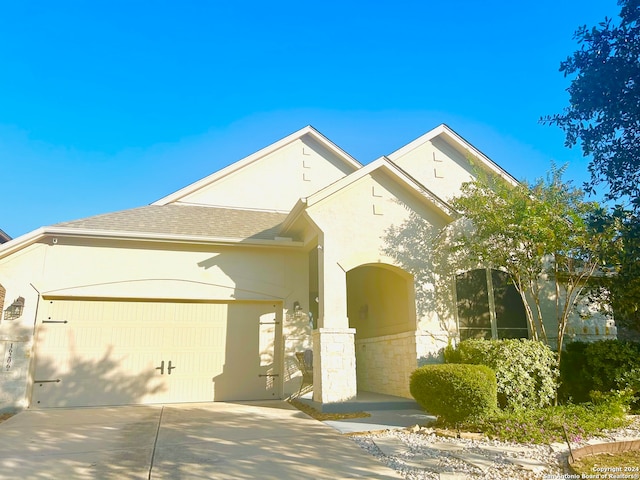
<point>549,424</point>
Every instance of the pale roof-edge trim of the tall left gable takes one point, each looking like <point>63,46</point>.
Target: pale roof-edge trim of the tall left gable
<point>234,167</point>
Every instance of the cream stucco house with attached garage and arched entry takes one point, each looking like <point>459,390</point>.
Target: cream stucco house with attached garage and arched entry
<point>206,294</point>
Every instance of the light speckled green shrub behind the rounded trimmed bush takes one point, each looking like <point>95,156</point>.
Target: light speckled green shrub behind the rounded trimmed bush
<point>526,370</point>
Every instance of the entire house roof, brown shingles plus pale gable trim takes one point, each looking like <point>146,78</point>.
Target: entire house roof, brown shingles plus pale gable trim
<point>184,223</point>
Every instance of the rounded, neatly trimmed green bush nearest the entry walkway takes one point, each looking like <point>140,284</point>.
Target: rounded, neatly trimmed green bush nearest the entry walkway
<point>455,392</point>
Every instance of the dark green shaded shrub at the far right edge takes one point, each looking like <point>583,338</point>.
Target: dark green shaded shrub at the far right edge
<point>606,365</point>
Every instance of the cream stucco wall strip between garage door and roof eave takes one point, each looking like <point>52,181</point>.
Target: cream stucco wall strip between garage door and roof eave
<point>139,270</point>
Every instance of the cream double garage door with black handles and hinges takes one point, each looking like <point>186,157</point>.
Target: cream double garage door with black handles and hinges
<point>114,352</point>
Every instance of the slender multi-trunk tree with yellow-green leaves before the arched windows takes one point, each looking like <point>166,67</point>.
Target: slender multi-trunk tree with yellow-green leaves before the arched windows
<point>536,233</point>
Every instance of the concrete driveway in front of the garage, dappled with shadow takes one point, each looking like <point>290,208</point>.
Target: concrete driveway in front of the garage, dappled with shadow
<point>248,440</point>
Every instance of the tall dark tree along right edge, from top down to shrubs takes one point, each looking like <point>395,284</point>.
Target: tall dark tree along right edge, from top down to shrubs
<point>604,116</point>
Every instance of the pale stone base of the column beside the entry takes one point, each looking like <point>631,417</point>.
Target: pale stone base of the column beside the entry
<point>334,365</point>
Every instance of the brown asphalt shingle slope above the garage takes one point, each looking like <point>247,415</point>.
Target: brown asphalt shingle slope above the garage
<point>188,220</point>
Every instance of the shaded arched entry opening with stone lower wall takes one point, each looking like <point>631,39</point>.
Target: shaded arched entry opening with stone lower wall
<point>381,308</point>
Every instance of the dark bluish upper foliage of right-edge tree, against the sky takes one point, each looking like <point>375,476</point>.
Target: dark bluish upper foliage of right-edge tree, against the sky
<point>604,105</point>
